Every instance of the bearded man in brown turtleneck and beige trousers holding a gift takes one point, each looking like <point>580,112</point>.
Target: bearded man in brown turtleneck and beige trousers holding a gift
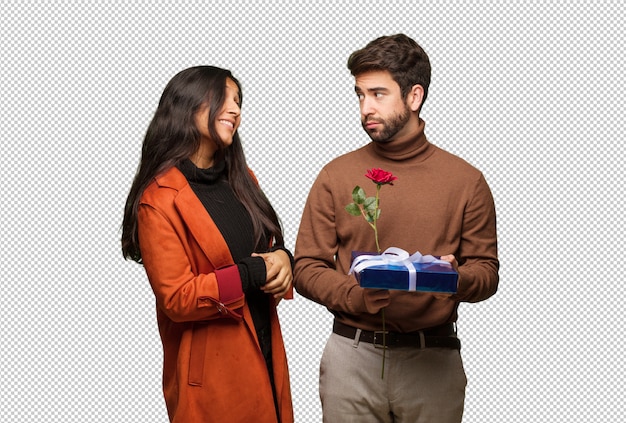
<point>439,205</point>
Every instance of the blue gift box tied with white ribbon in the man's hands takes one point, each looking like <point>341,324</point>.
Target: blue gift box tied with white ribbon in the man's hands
<point>429,277</point>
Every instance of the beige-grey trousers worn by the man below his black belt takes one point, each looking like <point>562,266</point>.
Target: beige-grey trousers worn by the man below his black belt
<point>419,385</point>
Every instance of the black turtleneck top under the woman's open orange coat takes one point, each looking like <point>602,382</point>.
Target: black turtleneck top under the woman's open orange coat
<point>232,219</point>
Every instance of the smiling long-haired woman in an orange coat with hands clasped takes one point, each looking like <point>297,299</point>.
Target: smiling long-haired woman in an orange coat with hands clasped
<point>212,247</point>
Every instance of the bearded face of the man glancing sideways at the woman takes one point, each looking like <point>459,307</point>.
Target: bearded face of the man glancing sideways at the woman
<point>384,113</point>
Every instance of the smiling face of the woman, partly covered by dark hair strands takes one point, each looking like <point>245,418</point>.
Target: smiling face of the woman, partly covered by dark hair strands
<point>227,120</point>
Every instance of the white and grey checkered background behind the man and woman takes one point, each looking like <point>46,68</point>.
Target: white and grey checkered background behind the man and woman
<point>529,92</point>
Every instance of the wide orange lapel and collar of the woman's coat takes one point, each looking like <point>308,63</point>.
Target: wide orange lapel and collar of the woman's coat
<point>197,219</point>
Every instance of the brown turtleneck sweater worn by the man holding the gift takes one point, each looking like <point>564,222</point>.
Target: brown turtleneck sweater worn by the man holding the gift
<point>439,205</point>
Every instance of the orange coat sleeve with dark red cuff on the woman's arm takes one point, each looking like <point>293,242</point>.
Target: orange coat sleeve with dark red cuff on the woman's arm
<point>182,292</point>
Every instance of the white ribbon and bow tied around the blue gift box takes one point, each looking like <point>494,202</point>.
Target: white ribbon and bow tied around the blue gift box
<point>397,256</point>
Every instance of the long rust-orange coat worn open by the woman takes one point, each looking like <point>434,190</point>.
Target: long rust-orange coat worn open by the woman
<point>214,370</point>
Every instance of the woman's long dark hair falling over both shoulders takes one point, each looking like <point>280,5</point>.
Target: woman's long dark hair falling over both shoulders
<point>172,137</point>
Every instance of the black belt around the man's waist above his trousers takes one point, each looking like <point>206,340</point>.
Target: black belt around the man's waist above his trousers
<point>437,337</point>
